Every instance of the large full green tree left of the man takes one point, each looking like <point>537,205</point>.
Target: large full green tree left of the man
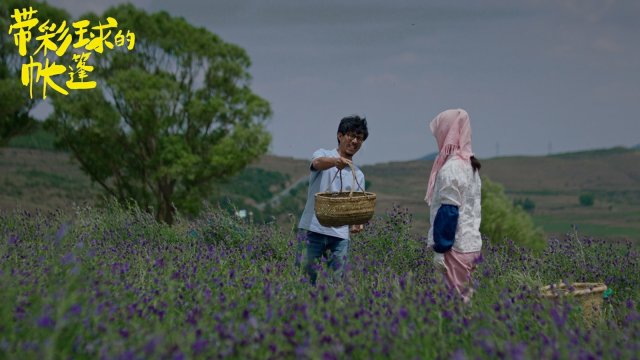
<point>168,117</point>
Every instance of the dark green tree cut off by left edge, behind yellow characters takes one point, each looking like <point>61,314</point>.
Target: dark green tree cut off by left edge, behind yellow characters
<point>15,101</point>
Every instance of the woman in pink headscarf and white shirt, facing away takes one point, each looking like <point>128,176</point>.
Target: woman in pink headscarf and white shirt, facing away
<point>453,195</point>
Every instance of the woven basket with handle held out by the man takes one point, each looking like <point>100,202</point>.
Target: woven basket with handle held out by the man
<point>344,208</point>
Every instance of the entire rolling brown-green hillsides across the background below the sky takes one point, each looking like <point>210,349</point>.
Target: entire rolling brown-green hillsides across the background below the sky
<point>47,180</point>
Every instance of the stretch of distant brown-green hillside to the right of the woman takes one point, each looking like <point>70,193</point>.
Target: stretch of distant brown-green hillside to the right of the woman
<point>555,184</point>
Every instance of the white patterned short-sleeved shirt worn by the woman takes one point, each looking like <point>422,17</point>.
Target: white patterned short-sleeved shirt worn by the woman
<point>457,184</point>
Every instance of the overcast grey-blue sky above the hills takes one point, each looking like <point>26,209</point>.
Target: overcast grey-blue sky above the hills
<point>536,76</point>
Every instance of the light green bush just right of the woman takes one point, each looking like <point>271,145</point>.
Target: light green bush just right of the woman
<point>501,219</point>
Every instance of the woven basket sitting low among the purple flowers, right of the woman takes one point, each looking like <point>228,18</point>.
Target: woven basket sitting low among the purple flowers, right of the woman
<point>588,294</point>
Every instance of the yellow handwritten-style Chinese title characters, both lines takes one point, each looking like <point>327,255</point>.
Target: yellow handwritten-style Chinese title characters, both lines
<point>54,40</point>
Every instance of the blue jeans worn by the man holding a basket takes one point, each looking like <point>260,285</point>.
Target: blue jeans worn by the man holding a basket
<point>334,249</point>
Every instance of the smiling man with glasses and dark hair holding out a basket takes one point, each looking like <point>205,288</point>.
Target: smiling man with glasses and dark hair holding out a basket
<point>320,240</point>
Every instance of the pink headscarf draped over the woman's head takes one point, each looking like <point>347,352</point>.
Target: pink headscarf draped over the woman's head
<point>452,131</point>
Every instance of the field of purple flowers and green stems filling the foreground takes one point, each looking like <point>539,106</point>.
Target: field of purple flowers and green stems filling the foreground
<point>115,284</point>
